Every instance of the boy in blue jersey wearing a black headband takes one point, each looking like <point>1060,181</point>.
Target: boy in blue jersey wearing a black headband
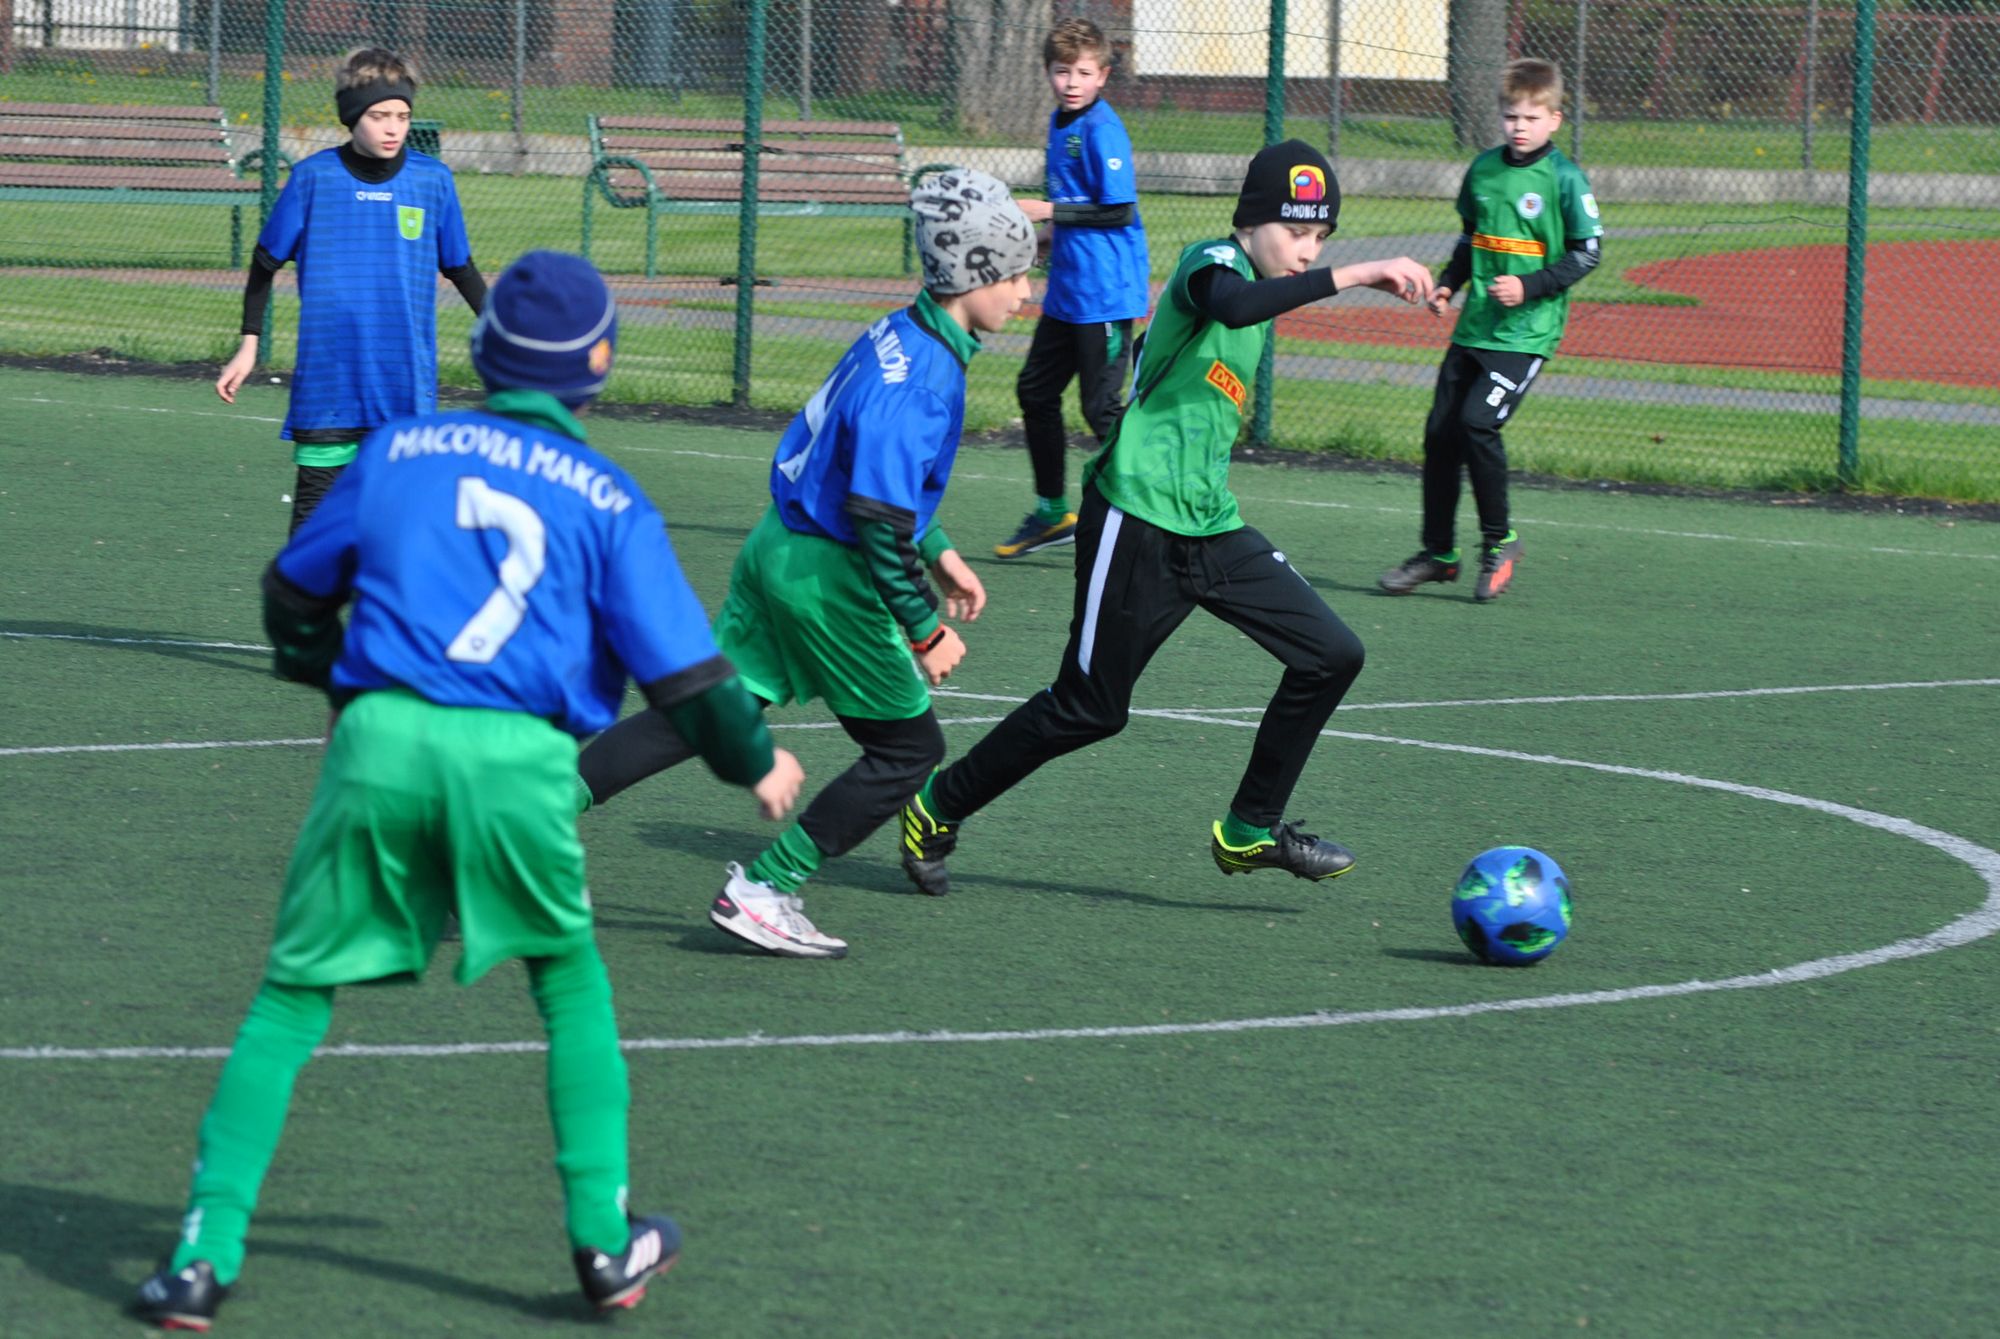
<point>369,225</point>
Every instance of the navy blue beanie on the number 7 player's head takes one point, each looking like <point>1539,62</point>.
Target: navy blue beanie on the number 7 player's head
<point>549,325</point>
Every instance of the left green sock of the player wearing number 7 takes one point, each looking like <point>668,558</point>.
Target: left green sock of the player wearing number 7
<point>245,1120</point>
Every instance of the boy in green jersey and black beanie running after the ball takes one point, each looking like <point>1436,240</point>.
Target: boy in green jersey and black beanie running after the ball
<point>1159,537</point>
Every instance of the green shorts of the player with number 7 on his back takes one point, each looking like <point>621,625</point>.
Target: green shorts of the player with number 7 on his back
<point>427,810</point>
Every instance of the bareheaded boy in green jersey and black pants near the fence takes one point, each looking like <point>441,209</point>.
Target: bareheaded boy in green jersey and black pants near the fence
<point>1531,231</point>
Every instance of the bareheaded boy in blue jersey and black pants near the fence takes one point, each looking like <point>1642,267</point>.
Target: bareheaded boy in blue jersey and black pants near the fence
<point>1097,277</point>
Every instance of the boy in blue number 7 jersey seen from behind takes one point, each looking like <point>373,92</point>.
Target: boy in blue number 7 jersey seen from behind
<point>507,581</point>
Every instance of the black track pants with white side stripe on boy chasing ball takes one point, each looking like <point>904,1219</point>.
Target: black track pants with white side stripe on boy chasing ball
<point>1135,587</point>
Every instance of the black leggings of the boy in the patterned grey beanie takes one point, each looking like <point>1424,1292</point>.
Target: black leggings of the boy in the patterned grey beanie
<point>897,758</point>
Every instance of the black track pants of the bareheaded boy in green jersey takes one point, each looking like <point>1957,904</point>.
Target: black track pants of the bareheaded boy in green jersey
<point>1477,391</point>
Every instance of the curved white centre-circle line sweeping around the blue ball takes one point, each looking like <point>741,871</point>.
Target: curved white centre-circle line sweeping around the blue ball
<point>1977,924</point>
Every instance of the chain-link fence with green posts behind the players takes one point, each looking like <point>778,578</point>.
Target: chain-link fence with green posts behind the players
<point>1717,137</point>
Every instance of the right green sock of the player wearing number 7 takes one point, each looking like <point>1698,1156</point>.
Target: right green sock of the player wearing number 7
<point>587,1094</point>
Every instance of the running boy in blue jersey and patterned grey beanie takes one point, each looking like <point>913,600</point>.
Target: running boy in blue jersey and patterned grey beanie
<point>829,597</point>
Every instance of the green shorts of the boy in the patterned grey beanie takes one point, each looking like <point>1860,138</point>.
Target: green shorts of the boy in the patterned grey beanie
<point>803,621</point>
